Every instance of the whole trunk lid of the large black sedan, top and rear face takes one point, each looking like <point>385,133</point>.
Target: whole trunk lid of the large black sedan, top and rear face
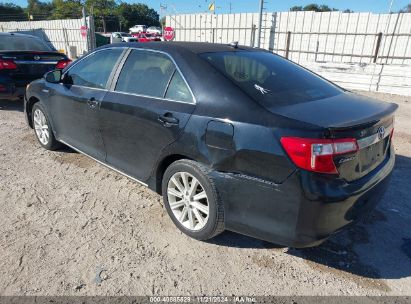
<point>348,115</point>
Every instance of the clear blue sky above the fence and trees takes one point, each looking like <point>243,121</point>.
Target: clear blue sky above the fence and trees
<point>244,6</point>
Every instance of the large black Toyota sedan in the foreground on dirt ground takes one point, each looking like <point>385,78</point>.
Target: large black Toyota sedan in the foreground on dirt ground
<point>233,137</point>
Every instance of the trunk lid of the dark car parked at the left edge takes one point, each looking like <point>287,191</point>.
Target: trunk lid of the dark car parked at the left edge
<point>32,64</point>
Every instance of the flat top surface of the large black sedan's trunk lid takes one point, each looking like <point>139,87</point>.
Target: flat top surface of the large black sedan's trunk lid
<point>340,111</point>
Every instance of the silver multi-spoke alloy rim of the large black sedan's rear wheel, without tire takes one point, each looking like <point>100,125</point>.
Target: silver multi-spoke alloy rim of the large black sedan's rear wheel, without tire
<point>188,201</point>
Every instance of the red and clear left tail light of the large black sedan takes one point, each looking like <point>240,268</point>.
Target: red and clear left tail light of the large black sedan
<point>317,155</point>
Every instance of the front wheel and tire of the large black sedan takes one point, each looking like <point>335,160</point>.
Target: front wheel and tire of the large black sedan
<point>41,122</point>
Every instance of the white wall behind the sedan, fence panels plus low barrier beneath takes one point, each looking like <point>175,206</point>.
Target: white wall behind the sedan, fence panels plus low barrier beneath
<point>339,46</point>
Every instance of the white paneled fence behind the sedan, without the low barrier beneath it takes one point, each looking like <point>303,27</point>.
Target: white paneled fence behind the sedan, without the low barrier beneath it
<point>308,36</point>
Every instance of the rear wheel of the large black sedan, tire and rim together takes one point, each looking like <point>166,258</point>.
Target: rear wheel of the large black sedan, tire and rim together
<point>214,221</point>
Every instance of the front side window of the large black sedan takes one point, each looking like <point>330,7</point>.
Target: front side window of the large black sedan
<point>94,71</point>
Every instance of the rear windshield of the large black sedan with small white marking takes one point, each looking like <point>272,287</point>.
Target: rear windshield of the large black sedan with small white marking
<point>270,79</point>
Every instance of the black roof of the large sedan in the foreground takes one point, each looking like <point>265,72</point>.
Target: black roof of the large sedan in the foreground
<point>176,46</point>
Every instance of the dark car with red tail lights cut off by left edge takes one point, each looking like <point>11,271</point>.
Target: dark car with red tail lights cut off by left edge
<point>24,58</point>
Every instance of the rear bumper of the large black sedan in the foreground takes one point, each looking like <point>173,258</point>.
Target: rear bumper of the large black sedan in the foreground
<point>304,210</point>
